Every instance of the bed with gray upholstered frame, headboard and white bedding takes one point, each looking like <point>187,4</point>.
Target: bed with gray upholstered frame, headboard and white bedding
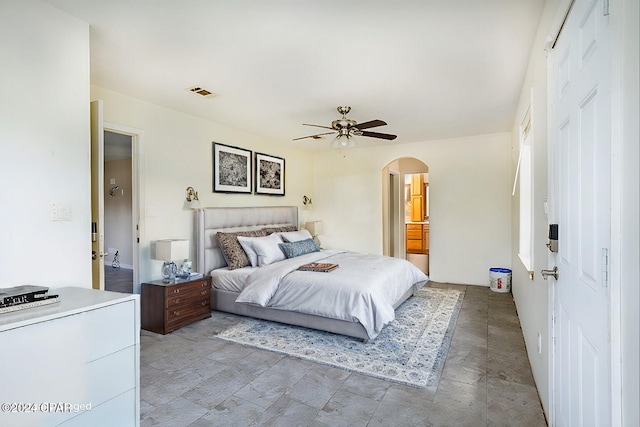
<point>268,291</point>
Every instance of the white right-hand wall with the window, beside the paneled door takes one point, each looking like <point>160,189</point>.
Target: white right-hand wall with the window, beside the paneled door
<point>531,297</point>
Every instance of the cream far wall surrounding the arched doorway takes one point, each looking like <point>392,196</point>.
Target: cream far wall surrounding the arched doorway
<point>469,196</point>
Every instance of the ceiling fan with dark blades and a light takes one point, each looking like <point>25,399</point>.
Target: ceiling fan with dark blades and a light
<point>346,129</point>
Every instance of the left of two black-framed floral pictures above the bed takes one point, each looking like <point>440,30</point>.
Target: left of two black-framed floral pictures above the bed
<point>231,169</point>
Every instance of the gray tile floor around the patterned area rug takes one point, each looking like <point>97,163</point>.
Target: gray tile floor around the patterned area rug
<point>192,378</point>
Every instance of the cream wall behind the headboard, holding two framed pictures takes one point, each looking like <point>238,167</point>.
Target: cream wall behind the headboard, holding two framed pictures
<point>177,153</point>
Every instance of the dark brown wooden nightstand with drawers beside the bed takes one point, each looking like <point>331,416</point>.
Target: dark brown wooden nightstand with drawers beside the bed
<point>166,307</point>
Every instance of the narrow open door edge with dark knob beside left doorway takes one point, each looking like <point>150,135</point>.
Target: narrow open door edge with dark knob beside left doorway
<point>97,195</point>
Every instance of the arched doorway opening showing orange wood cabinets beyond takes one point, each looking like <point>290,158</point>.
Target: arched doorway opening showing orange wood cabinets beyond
<point>405,189</point>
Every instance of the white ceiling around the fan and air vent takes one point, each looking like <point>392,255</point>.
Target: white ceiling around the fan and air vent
<point>430,69</point>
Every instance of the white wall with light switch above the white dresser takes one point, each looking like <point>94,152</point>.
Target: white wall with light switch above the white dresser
<point>44,132</point>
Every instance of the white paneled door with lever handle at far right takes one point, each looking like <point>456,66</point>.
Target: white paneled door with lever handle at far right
<point>580,180</point>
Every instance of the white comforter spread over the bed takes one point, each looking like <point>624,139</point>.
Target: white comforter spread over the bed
<point>363,289</point>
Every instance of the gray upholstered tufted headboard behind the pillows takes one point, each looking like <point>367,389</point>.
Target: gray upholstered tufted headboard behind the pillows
<point>209,221</point>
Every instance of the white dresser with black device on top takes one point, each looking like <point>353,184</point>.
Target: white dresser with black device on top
<point>72,363</point>
